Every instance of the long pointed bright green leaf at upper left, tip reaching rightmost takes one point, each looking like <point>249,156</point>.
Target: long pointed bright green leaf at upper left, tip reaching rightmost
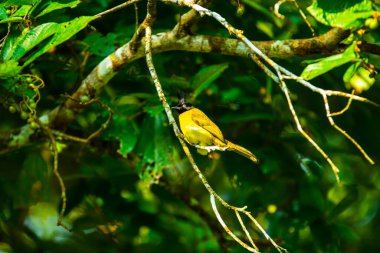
<point>64,32</point>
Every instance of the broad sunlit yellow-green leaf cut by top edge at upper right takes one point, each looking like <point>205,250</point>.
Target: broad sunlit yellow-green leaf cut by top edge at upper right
<point>348,14</point>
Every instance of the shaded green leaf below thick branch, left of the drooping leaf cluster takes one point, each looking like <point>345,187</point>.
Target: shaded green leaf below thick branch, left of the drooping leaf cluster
<point>123,130</point>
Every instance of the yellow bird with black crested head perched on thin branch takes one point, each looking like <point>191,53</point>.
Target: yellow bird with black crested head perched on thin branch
<point>199,131</point>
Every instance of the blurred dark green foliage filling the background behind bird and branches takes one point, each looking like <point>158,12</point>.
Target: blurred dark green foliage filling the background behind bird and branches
<point>131,189</point>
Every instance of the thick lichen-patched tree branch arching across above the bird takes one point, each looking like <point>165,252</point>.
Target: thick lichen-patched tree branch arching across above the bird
<point>62,116</point>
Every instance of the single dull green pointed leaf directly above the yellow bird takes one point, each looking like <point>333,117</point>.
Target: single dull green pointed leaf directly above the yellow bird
<point>204,78</point>
